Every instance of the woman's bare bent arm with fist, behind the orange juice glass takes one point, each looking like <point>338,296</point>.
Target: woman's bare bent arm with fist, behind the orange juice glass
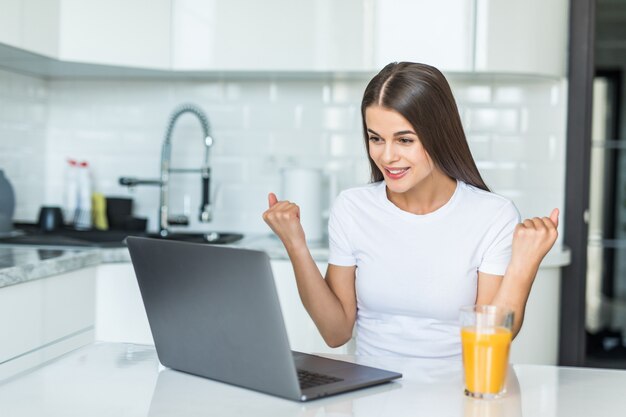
<point>532,240</point>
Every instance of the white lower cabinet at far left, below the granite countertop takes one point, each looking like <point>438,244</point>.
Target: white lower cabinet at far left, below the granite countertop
<point>45,318</point>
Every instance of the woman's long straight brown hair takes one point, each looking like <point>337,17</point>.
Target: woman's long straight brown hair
<point>422,95</point>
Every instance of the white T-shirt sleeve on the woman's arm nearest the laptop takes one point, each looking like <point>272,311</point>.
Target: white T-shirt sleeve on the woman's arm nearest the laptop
<point>340,250</point>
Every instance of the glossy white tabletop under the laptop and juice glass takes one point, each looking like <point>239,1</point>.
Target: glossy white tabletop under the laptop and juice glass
<point>119,380</point>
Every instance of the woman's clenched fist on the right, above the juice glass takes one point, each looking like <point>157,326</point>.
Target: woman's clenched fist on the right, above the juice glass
<point>532,240</point>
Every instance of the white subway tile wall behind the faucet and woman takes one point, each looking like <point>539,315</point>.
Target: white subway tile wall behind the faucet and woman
<point>515,128</point>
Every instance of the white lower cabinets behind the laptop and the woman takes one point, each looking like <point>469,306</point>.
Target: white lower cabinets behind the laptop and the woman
<point>120,315</point>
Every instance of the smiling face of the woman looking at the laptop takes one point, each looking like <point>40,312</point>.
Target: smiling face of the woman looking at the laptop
<point>396,150</point>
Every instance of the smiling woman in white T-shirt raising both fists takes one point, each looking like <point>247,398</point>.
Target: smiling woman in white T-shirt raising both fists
<point>423,239</point>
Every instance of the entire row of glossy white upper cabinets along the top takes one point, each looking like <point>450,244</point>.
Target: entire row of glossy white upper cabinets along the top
<point>503,36</point>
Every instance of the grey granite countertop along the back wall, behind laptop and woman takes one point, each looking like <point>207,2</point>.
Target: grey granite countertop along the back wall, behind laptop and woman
<point>22,263</point>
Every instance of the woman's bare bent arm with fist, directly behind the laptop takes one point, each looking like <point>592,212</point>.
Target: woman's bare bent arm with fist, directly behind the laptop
<point>330,302</point>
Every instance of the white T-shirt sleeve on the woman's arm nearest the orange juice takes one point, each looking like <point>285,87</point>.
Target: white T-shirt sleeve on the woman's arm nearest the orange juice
<point>498,254</point>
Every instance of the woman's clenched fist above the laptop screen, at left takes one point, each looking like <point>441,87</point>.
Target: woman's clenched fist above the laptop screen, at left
<point>283,217</point>
